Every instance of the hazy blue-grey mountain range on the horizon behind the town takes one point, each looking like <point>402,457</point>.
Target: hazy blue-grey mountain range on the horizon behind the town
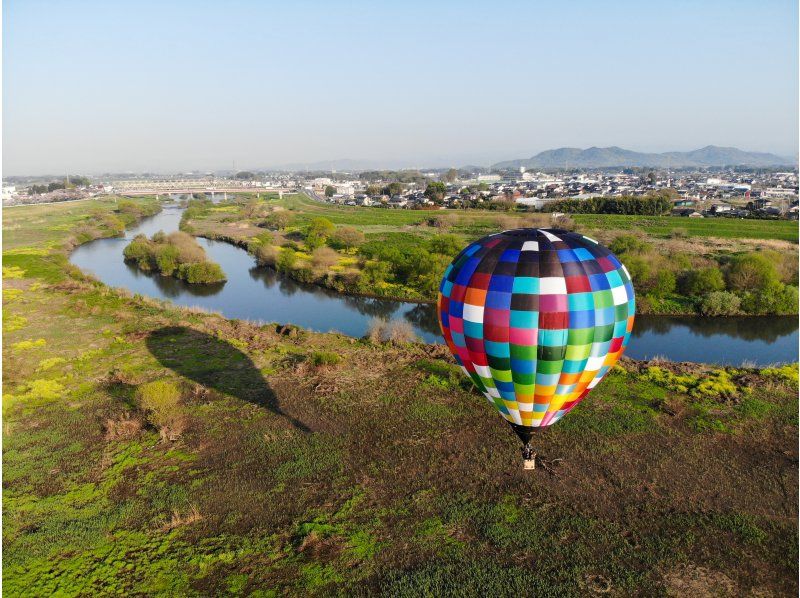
<point>599,157</point>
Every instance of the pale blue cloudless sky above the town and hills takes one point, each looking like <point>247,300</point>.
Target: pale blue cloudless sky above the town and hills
<point>166,86</point>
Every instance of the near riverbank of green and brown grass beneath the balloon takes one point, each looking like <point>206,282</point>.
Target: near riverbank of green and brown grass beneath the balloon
<point>159,451</point>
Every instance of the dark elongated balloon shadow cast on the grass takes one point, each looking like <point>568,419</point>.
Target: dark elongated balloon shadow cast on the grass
<point>215,364</point>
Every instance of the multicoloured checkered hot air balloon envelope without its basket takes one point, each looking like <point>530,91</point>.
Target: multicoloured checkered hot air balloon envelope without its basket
<point>536,318</point>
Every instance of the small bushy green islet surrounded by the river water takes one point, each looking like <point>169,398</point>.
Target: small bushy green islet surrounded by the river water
<point>175,254</point>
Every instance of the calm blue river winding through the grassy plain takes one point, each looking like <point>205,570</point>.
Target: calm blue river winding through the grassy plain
<point>262,295</point>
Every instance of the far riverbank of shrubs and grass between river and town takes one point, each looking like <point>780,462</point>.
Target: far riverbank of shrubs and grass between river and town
<point>679,265</point>
